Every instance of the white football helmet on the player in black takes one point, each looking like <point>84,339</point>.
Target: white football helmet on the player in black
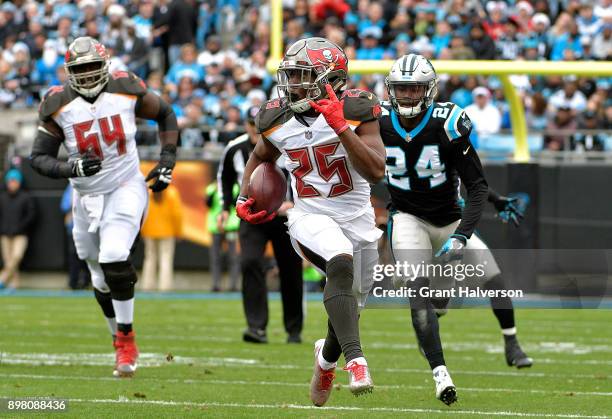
<point>412,85</point>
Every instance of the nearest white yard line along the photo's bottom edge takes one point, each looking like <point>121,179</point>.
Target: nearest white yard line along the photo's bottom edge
<point>333,408</point>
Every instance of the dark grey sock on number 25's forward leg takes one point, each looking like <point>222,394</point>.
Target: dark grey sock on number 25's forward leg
<point>341,305</point>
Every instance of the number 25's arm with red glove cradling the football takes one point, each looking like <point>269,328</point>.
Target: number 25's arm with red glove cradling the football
<point>264,152</point>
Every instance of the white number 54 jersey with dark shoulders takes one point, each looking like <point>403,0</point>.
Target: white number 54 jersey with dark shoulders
<point>106,127</point>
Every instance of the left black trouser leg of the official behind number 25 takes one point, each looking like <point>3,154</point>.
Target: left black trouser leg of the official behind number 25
<point>253,241</point>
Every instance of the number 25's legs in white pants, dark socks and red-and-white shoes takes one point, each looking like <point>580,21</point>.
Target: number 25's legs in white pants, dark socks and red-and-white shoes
<point>323,239</point>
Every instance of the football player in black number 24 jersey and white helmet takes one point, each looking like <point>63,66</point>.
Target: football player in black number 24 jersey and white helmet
<point>428,154</point>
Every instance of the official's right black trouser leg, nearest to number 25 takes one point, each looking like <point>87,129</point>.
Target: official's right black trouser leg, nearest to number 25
<point>291,283</point>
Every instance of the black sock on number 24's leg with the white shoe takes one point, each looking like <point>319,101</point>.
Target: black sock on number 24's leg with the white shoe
<point>425,323</point>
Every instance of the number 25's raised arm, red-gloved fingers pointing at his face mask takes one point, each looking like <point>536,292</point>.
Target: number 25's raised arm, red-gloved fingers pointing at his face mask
<point>364,146</point>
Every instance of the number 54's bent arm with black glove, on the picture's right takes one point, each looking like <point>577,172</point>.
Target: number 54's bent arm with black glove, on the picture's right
<point>152,107</point>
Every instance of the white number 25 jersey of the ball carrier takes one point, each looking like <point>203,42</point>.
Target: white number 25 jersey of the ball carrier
<point>323,178</point>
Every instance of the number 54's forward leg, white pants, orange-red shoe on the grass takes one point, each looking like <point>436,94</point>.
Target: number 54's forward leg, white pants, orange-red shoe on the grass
<point>119,227</point>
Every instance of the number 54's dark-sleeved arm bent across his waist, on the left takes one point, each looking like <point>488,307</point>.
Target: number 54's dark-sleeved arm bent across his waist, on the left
<point>43,158</point>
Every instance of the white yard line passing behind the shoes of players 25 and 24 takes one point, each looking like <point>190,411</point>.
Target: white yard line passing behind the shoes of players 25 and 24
<point>294,384</point>
